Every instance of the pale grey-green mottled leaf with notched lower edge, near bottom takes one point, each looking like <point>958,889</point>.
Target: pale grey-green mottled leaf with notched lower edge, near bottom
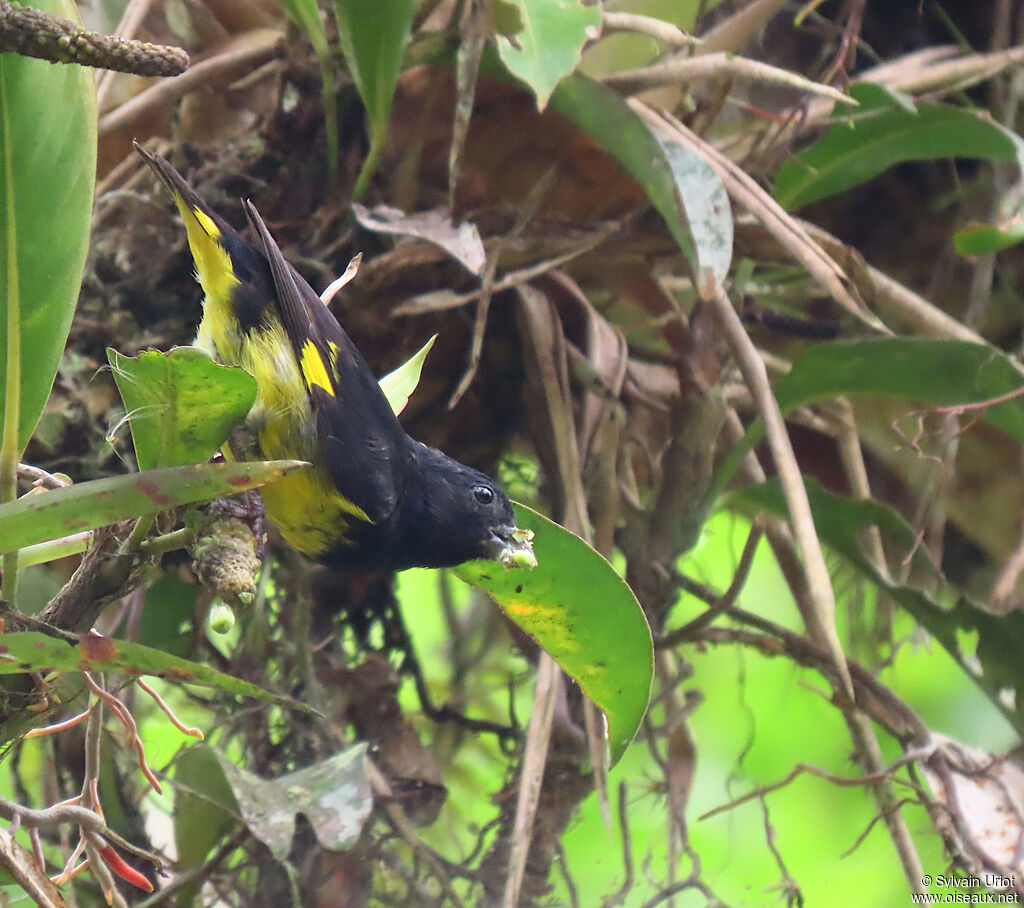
<point>334,796</point>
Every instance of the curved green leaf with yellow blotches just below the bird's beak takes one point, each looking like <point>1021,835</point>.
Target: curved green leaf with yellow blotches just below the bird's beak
<point>584,616</point>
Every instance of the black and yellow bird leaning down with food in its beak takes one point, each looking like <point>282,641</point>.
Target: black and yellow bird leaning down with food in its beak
<point>374,498</point>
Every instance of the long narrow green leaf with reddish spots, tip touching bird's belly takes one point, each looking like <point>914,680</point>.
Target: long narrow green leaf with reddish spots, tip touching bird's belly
<point>56,513</point>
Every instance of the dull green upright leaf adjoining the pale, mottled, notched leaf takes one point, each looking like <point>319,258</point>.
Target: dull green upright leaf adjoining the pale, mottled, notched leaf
<point>205,811</point>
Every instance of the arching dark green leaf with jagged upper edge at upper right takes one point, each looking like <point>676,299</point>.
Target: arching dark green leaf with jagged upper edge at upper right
<point>887,129</point>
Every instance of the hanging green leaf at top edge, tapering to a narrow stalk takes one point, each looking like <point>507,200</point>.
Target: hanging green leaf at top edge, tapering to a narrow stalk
<point>373,37</point>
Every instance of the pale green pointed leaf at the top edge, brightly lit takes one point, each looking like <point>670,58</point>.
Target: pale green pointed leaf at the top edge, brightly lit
<point>548,49</point>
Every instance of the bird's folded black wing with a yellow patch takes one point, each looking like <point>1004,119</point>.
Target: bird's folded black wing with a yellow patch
<point>368,452</point>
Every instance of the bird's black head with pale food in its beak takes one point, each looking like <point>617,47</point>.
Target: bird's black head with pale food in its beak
<point>457,514</point>
